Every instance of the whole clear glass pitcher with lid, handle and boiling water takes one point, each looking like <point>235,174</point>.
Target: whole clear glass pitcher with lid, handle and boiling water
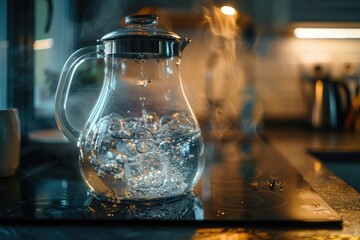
<point>141,140</point>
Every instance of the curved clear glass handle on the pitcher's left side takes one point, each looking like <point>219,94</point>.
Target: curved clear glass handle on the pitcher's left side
<point>63,88</point>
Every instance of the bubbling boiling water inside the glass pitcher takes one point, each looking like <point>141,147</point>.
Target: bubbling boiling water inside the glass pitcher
<point>141,158</point>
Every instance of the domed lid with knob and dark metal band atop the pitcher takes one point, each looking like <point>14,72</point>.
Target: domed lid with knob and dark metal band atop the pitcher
<point>142,39</point>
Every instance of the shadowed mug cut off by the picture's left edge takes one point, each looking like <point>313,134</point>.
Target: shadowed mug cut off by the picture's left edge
<point>9,142</point>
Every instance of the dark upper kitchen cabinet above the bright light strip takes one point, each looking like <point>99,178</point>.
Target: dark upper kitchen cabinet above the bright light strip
<point>276,15</point>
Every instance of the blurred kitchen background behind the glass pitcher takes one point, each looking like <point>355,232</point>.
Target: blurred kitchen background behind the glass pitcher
<point>266,54</point>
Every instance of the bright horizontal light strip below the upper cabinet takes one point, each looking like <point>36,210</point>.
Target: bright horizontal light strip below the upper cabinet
<point>327,33</point>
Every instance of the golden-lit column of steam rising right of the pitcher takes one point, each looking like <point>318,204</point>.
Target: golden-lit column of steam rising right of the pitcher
<point>224,75</point>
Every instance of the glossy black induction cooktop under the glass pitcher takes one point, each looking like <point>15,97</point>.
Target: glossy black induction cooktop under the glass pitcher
<point>245,183</point>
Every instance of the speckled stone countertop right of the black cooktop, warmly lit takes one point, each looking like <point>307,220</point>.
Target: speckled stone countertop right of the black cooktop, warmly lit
<point>295,143</point>
